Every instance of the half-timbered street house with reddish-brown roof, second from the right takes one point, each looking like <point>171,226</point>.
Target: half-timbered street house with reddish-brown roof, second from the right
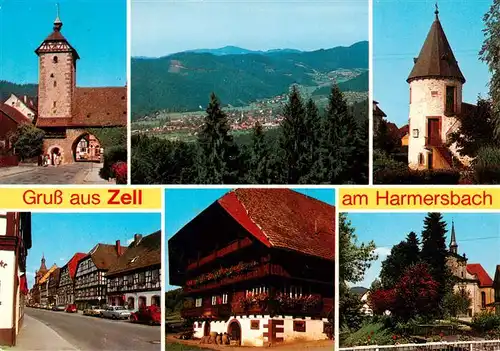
<point>90,277</point>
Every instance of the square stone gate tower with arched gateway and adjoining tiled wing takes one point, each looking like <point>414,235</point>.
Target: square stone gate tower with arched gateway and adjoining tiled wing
<point>68,113</point>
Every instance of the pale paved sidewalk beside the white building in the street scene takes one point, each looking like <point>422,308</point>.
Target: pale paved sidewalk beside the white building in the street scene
<point>36,336</point>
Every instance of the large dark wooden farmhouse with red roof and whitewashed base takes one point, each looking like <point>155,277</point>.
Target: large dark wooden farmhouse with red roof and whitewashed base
<point>259,265</point>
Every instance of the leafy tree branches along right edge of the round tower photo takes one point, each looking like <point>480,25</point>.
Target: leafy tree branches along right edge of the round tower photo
<point>490,53</point>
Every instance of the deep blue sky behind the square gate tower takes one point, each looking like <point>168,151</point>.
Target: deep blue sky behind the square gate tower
<point>96,29</point>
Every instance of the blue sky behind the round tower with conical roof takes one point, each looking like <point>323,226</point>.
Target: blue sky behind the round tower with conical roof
<point>399,31</point>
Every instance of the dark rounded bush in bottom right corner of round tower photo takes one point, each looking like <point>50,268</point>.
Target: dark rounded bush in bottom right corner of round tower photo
<point>487,166</point>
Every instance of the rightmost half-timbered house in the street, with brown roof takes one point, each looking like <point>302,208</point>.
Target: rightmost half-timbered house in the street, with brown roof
<point>134,280</point>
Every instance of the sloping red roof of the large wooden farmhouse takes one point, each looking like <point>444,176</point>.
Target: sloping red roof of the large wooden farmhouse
<point>285,219</point>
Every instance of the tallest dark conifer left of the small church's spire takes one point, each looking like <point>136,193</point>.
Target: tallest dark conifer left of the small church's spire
<point>435,253</point>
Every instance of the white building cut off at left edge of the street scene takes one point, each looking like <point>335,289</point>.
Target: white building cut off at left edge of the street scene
<point>15,241</point>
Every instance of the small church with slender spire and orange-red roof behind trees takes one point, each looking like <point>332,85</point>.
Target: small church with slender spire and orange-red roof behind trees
<point>471,277</point>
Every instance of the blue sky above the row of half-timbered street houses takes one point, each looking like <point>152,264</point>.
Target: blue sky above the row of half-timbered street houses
<point>59,236</point>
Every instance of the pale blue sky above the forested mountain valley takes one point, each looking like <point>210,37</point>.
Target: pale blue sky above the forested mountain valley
<point>164,27</point>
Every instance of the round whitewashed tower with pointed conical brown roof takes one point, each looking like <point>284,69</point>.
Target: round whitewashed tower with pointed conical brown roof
<point>435,101</point>
